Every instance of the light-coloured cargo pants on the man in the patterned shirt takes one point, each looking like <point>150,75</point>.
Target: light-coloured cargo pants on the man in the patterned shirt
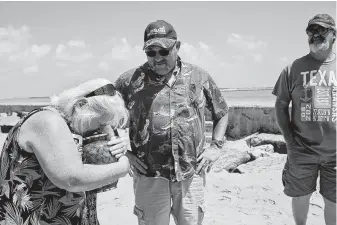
<point>157,198</point>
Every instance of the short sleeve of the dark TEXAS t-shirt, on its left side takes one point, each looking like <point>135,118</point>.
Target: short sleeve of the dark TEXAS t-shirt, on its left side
<point>282,87</point>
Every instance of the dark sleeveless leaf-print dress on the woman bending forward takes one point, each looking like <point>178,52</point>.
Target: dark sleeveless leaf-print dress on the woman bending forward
<point>28,197</point>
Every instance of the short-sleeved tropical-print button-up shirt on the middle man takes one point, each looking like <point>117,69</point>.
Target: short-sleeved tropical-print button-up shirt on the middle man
<point>167,117</point>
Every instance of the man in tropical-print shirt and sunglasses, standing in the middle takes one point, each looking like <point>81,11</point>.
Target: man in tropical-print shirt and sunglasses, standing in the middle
<point>167,99</point>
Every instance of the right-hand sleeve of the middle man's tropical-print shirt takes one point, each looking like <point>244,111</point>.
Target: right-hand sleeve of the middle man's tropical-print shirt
<point>215,102</point>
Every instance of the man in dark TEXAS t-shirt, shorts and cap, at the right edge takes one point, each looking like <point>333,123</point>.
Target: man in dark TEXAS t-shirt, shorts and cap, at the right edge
<point>310,134</point>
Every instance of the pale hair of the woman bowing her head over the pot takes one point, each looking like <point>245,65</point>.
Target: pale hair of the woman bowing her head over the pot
<point>71,100</point>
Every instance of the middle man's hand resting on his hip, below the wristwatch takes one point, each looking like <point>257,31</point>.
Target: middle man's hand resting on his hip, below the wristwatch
<point>207,158</point>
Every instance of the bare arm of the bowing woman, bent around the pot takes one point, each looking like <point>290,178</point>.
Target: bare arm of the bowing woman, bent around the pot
<point>47,135</point>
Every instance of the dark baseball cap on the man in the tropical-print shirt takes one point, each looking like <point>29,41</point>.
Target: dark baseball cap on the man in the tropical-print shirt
<point>159,33</point>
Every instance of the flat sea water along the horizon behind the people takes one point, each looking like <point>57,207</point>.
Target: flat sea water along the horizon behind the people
<point>232,97</point>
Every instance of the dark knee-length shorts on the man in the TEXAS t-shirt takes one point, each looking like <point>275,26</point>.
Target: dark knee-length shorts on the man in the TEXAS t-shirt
<point>302,170</point>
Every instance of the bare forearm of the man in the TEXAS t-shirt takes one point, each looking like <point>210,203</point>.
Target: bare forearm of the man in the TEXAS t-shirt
<point>283,120</point>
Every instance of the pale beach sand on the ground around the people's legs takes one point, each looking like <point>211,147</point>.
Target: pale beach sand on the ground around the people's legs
<point>252,198</point>
